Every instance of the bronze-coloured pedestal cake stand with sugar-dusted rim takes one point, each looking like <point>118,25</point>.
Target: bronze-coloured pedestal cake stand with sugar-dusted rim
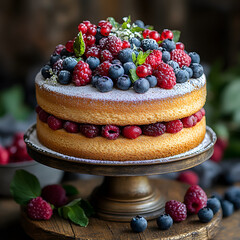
<point>126,190</point>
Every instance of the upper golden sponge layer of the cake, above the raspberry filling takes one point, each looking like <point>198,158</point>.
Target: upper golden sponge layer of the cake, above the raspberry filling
<point>101,112</point>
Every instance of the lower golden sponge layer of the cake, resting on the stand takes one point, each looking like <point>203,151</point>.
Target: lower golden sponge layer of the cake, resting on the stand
<point>122,149</point>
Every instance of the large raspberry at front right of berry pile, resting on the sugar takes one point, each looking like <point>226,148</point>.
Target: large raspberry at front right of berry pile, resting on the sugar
<point>165,76</point>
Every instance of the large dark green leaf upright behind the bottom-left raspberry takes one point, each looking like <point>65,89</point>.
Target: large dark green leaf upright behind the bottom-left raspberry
<point>24,187</point>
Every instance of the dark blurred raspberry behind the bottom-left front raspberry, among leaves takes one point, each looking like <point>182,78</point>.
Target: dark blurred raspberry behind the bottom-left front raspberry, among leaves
<point>54,194</point>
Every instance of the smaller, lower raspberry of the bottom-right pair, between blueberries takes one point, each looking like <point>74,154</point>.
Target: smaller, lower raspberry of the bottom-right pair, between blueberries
<point>176,210</point>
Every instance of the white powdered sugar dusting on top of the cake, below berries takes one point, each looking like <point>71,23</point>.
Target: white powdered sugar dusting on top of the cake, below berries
<point>89,92</point>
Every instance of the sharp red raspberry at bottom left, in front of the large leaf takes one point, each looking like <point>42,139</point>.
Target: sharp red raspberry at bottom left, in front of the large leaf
<point>39,209</point>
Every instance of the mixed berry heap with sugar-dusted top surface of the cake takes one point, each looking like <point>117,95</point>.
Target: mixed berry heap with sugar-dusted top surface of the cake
<point>123,59</point>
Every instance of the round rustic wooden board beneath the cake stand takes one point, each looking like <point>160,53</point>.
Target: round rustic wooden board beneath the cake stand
<point>58,228</point>
